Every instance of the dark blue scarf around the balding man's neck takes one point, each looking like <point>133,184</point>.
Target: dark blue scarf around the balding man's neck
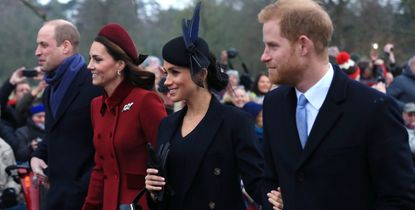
<point>61,78</point>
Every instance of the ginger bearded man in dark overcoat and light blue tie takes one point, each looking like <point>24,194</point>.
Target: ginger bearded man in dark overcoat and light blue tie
<point>330,142</point>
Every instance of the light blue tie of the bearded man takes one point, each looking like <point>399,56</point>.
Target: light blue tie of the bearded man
<point>301,119</point>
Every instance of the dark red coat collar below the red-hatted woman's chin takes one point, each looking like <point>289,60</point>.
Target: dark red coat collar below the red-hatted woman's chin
<point>122,90</point>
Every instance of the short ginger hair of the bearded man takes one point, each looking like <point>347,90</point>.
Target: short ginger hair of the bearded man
<point>301,17</point>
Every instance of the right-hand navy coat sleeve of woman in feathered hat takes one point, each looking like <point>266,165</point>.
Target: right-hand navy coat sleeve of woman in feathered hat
<point>249,158</point>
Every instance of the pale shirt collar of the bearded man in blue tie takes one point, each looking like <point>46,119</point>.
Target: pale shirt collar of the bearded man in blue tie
<point>318,92</point>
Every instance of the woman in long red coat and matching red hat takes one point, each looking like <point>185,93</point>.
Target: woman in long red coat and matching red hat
<point>124,118</point>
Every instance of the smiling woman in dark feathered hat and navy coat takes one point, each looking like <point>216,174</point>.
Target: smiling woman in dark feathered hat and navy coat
<point>211,145</point>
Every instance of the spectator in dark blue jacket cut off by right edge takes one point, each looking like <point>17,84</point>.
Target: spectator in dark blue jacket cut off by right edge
<point>402,87</point>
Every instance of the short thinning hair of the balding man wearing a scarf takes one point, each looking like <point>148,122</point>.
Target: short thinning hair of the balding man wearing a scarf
<point>65,30</point>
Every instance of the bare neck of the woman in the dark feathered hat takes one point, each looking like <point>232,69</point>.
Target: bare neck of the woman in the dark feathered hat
<point>199,104</point>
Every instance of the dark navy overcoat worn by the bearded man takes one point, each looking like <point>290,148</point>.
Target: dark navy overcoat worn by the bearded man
<point>357,155</point>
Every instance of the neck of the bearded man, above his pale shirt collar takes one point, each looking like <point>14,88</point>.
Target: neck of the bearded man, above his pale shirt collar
<point>315,71</point>
